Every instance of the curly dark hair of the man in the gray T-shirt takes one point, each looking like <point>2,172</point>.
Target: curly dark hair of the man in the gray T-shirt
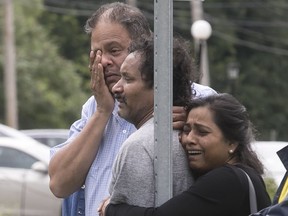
<point>183,68</point>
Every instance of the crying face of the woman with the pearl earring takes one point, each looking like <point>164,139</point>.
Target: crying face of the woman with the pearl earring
<point>205,145</point>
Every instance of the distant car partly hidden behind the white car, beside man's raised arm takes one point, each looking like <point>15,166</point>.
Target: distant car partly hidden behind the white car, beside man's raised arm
<point>49,137</point>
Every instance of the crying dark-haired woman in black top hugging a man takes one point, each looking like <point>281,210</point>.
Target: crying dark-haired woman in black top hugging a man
<point>216,137</point>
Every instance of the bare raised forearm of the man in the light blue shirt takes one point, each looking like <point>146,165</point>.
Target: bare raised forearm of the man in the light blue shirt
<point>69,167</point>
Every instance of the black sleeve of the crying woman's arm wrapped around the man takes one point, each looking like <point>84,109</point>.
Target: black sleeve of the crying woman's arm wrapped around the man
<point>219,192</point>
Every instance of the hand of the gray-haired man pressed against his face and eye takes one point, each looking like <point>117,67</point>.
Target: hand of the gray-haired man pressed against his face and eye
<point>104,98</point>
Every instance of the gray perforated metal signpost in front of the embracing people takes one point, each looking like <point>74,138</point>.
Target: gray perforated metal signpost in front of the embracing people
<point>163,34</point>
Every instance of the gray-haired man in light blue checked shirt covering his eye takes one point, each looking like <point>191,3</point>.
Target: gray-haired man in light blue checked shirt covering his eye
<point>87,156</point>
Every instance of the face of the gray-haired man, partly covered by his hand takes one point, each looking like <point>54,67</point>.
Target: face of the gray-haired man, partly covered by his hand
<point>113,40</point>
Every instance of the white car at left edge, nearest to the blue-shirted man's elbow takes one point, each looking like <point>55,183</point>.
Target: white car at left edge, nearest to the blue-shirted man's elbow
<point>24,179</point>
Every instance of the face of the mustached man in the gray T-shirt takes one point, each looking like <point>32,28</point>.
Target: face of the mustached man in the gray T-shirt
<point>134,97</point>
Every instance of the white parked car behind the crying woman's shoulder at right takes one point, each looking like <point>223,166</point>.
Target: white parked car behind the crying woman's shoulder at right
<point>267,153</point>
